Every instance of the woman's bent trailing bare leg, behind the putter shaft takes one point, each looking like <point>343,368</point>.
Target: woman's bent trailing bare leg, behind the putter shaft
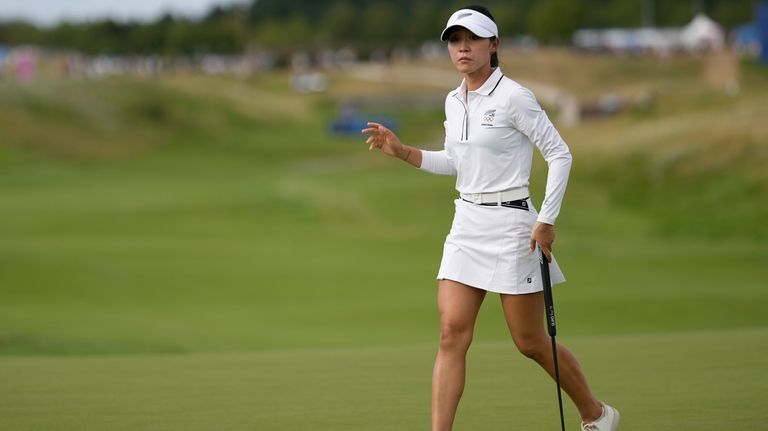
<point>525,318</point>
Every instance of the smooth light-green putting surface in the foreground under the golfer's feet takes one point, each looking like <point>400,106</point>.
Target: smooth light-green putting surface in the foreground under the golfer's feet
<point>705,381</point>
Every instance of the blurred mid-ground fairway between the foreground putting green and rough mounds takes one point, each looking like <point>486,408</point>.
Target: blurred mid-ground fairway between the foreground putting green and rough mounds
<point>235,259</point>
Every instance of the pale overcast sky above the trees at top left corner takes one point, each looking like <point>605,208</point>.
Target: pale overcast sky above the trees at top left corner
<point>52,11</point>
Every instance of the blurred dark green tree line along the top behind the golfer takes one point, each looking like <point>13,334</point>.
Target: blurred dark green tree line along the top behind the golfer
<point>286,26</point>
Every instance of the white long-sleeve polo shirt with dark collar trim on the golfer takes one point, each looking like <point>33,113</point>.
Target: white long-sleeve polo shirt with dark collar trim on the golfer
<point>489,140</point>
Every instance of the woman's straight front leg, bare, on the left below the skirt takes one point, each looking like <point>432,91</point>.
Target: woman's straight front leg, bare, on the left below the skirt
<point>458,305</point>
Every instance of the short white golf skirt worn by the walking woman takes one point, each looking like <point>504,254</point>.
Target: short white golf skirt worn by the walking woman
<point>488,248</point>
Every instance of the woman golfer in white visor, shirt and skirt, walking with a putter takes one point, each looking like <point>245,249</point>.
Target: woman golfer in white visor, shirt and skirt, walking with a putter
<point>492,125</point>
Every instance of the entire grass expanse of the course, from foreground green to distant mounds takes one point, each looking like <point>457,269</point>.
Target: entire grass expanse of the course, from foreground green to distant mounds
<point>199,253</point>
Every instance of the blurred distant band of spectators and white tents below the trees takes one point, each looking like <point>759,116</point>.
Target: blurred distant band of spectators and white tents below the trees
<point>25,63</point>
